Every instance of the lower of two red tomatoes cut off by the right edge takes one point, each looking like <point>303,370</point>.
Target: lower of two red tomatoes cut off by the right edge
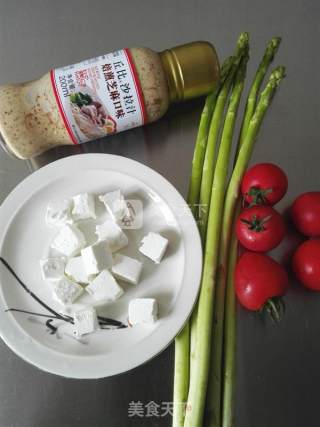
<point>306,264</point>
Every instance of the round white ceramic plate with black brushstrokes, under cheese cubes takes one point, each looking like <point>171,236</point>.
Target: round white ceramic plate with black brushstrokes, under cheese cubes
<point>25,238</point>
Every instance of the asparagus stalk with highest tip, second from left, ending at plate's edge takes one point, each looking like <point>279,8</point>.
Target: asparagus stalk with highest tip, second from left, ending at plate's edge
<point>215,126</point>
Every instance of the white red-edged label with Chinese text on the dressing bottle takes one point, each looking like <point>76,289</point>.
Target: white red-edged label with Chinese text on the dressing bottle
<point>99,96</point>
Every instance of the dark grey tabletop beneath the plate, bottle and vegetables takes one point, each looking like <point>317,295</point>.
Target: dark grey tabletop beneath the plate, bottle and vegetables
<point>278,366</point>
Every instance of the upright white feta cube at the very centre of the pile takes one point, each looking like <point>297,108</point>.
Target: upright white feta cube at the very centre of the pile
<point>97,257</point>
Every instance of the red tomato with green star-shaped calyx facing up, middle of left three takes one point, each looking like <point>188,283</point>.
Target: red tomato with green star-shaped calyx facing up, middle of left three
<point>260,228</point>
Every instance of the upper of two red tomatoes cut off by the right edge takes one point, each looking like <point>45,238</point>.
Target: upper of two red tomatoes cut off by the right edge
<point>305,212</point>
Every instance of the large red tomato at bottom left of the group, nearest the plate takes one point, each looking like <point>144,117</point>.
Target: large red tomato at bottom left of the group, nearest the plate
<point>258,278</point>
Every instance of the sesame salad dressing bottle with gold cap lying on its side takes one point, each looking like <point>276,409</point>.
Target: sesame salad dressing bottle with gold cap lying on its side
<point>102,96</point>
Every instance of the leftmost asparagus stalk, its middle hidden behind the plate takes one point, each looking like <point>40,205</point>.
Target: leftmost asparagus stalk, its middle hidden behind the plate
<point>182,342</point>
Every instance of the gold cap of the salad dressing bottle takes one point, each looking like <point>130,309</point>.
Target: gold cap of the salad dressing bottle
<point>192,70</point>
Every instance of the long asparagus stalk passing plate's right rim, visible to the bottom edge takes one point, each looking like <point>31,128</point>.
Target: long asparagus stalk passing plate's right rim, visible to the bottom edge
<point>198,384</point>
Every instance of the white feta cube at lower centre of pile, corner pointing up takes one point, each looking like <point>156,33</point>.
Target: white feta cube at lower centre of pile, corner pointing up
<point>104,287</point>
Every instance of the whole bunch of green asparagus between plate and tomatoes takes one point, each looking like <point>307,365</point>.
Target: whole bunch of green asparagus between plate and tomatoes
<point>205,349</point>
